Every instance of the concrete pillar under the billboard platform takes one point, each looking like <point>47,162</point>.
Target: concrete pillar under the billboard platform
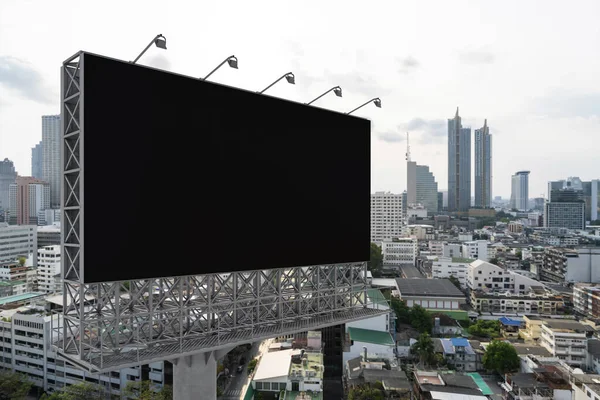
<point>195,376</point>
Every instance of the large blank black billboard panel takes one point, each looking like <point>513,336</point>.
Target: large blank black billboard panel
<point>186,177</point>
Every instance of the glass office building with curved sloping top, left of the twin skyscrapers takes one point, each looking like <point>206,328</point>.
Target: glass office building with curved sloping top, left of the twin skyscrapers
<point>422,187</point>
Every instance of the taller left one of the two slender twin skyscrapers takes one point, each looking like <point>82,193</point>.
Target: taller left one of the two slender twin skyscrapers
<point>459,165</point>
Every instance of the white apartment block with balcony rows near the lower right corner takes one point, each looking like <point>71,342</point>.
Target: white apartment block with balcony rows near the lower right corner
<point>566,340</point>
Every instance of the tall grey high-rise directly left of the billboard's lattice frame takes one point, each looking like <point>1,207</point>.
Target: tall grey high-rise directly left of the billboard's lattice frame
<point>51,171</point>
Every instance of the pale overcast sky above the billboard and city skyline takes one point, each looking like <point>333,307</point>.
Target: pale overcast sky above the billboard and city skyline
<point>529,68</point>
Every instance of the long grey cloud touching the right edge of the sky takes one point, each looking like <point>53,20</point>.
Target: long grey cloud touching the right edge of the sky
<point>564,103</point>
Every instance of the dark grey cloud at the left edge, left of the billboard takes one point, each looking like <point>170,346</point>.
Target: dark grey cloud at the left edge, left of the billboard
<point>24,79</point>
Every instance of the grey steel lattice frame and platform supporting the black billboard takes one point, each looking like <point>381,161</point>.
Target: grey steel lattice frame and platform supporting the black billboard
<point>111,325</point>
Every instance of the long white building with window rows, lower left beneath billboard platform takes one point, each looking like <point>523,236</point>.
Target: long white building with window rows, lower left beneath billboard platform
<point>25,347</point>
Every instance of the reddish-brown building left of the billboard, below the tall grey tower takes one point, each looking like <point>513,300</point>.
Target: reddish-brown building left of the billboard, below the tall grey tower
<point>28,196</point>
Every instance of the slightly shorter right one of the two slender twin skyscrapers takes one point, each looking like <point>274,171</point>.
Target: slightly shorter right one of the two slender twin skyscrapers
<point>483,167</point>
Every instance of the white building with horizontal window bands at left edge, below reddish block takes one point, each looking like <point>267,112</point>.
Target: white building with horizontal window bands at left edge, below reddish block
<point>17,241</point>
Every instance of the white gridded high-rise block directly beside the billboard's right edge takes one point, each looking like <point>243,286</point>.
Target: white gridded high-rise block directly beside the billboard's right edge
<point>386,216</point>
